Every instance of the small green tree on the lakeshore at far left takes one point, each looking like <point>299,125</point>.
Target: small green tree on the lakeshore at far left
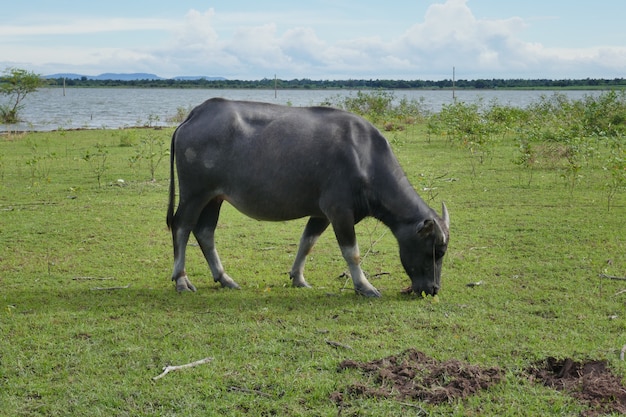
<point>17,83</point>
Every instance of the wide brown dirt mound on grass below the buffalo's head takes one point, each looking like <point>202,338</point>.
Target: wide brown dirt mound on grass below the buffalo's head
<point>413,375</point>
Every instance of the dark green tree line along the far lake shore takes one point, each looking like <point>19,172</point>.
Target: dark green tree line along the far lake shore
<point>305,83</point>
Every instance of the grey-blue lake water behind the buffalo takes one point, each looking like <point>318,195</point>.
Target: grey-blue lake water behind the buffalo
<point>92,108</point>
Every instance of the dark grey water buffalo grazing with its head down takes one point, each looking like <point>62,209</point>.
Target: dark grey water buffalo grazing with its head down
<point>281,163</point>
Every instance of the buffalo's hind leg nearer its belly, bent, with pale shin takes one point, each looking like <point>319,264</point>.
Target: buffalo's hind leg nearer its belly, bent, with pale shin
<point>205,235</point>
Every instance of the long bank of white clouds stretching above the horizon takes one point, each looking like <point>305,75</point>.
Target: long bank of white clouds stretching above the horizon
<point>242,46</point>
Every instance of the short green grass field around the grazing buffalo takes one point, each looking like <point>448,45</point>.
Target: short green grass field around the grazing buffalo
<point>70,348</point>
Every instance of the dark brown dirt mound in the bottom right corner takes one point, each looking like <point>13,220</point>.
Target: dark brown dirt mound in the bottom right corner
<point>591,382</point>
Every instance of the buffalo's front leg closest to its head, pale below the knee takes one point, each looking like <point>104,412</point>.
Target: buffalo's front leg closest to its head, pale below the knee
<point>346,237</point>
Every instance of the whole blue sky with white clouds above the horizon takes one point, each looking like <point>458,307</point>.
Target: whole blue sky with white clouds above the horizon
<point>318,39</point>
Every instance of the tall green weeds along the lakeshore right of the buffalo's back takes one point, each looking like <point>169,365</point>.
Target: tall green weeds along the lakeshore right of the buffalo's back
<point>564,134</point>
